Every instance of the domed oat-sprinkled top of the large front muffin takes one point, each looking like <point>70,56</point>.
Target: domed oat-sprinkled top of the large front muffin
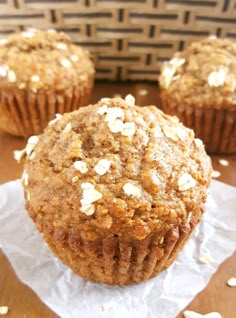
<point>114,168</point>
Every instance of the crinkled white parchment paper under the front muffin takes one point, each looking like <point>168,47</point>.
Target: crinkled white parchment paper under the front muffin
<point>162,297</point>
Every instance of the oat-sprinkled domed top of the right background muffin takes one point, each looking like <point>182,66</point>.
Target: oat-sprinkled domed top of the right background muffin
<point>203,75</point>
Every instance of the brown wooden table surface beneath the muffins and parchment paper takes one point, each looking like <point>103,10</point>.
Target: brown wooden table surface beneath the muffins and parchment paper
<point>22,301</point>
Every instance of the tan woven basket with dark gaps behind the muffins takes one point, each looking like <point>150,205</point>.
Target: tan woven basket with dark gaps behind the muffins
<point>129,38</point>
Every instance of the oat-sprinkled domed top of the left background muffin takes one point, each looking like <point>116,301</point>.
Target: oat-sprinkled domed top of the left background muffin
<point>43,60</point>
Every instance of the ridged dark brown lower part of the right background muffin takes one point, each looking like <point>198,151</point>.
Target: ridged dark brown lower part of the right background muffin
<point>216,127</point>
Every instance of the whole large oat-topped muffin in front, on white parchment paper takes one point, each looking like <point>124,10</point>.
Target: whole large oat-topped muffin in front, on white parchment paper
<point>116,189</point>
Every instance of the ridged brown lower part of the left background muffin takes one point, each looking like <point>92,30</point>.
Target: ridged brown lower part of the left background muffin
<point>23,113</point>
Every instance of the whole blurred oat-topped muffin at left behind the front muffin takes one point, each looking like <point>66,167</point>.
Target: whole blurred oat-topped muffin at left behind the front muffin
<point>41,73</point>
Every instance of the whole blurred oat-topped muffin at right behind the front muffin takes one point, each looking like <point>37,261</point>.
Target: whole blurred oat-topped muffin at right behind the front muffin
<point>199,86</point>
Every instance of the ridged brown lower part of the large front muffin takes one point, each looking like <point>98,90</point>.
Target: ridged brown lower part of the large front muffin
<point>118,260</point>
